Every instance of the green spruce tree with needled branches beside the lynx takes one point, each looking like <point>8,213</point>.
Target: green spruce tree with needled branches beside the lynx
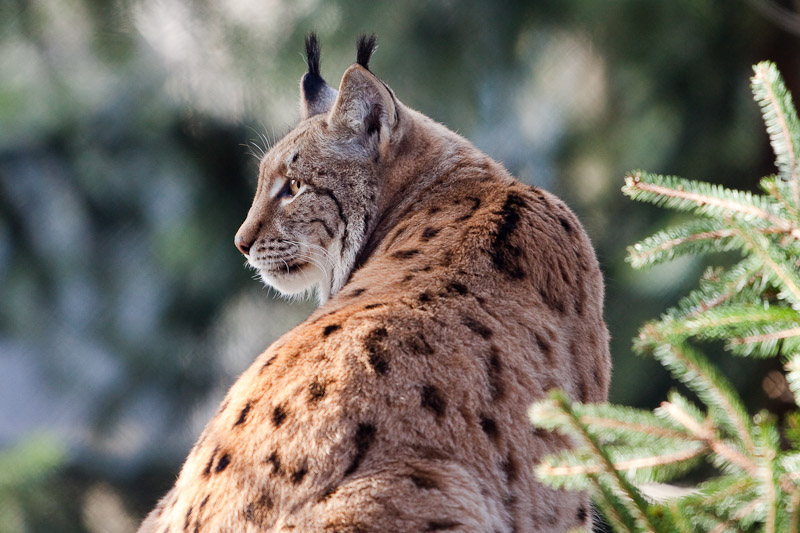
<point>754,308</point>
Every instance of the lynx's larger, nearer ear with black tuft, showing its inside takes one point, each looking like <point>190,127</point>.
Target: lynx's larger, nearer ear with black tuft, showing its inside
<point>365,105</point>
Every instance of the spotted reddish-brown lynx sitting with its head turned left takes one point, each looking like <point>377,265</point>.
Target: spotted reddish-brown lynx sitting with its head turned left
<point>452,297</point>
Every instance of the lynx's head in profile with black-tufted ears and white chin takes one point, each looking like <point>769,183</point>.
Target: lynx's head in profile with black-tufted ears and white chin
<point>319,187</point>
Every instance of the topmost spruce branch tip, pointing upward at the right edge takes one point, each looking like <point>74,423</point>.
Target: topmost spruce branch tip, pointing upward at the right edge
<point>780,118</point>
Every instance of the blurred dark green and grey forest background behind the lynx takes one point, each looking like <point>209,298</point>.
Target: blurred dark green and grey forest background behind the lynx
<point>125,168</point>
